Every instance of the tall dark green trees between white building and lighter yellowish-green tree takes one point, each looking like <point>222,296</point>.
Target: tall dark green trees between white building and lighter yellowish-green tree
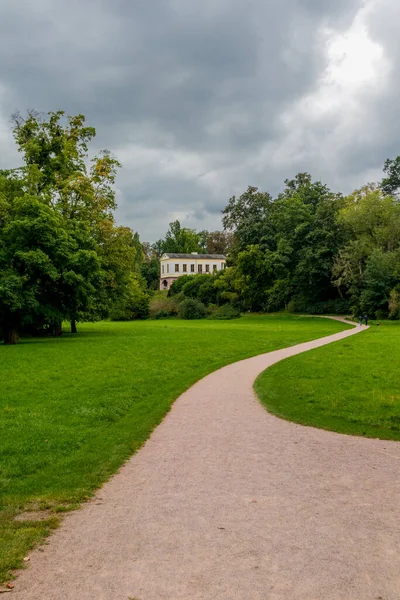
<point>284,247</point>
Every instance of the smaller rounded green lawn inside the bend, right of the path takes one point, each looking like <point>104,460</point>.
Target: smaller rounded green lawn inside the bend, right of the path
<point>351,386</point>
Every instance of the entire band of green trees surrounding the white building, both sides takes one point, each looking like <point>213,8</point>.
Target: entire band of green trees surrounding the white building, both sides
<point>63,258</point>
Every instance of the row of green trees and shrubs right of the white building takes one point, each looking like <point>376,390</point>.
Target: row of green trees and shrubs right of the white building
<point>310,250</point>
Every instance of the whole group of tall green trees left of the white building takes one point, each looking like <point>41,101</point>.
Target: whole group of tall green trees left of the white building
<point>61,255</point>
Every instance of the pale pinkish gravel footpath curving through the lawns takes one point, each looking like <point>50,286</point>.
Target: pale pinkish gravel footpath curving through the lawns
<point>227,502</point>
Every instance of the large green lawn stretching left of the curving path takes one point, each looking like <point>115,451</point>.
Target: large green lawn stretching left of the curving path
<point>74,409</point>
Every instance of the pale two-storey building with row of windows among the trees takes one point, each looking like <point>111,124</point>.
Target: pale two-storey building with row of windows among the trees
<point>173,266</point>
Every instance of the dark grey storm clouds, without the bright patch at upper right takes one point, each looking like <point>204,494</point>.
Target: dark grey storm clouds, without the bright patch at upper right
<point>188,94</point>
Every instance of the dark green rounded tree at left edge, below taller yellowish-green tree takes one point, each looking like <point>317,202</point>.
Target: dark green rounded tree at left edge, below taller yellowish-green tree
<point>43,267</point>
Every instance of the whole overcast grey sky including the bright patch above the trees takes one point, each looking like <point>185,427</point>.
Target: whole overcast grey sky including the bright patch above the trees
<point>199,99</point>
